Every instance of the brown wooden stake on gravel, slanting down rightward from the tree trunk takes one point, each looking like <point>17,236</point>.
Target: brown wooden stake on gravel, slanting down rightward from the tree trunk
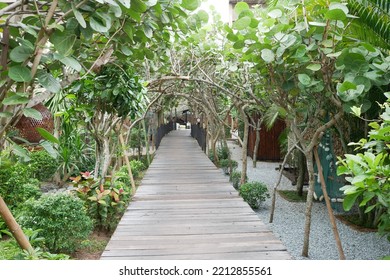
<point>328,206</point>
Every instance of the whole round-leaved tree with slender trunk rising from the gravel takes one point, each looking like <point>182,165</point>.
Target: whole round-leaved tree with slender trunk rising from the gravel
<point>312,72</point>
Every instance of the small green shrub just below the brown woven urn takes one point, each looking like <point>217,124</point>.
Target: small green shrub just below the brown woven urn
<point>43,165</point>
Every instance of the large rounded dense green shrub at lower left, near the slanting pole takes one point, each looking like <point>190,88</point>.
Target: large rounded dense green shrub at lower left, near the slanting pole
<point>62,219</point>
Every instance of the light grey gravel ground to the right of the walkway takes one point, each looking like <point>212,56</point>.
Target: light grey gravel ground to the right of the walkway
<point>289,221</point>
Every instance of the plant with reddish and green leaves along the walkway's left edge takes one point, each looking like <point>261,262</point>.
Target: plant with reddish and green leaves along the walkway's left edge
<point>105,202</point>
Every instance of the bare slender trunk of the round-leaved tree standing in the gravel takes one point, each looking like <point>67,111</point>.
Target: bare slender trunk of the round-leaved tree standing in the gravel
<point>309,202</point>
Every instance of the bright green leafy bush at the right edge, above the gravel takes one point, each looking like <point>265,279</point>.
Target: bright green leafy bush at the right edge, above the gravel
<point>368,174</point>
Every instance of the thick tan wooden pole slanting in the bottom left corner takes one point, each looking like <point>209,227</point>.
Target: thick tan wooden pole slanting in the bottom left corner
<point>14,227</point>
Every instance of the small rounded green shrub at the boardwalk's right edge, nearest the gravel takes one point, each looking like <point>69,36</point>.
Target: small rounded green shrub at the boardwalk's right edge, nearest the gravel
<point>254,193</point>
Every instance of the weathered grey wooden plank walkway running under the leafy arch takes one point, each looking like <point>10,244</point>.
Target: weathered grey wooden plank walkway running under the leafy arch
<point>185,208</point>
